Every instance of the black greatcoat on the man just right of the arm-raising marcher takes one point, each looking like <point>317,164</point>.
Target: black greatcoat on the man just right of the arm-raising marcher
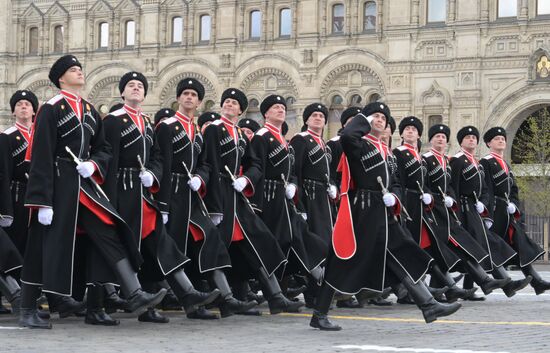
<point>412,172</point>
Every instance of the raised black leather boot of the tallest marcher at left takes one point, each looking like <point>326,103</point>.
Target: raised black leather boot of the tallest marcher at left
<point>138,300</point>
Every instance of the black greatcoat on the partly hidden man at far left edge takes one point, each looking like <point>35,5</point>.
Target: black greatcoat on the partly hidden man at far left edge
<point>13,183</point>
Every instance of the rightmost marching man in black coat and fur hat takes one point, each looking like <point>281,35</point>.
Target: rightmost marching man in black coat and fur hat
<point>503,199</point>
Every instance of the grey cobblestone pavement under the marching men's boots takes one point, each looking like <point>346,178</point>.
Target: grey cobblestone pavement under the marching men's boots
<point>517,325</point>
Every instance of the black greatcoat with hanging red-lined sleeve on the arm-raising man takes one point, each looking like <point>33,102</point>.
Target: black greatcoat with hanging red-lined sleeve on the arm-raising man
<point>366,222</point>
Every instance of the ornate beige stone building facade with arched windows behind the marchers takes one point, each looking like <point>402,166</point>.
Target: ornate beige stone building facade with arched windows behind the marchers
<point>478,62</point>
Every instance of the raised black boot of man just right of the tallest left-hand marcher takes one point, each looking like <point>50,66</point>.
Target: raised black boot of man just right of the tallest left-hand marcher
<point>188,296</point>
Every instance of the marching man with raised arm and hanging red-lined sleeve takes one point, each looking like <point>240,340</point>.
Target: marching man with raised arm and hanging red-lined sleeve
<point>360,251</point>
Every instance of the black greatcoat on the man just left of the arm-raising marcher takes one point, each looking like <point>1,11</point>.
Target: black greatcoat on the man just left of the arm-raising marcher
<point>312,169</point>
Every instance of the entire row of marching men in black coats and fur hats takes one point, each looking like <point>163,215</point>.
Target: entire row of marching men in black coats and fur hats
<point>159,208</point>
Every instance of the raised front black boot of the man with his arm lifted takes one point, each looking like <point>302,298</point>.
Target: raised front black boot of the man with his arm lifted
<point>431,309</point>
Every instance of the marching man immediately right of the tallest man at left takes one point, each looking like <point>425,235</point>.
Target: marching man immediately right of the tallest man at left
<point>135,171</point>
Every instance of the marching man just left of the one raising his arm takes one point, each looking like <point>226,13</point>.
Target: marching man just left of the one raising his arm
<point>316,190</point>
